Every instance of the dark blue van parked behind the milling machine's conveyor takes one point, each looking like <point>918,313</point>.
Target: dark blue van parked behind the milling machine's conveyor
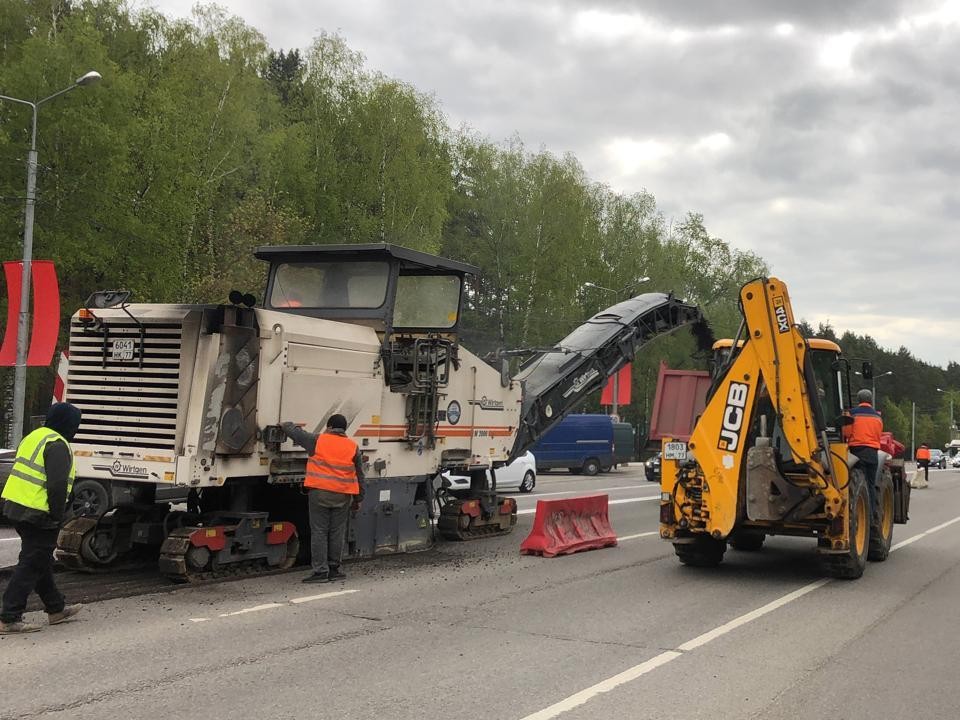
<point>580,443</point>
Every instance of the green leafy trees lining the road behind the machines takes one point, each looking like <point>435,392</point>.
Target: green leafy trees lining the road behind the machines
<point>202,143</point>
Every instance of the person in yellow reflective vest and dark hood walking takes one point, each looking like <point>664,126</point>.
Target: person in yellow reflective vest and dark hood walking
<point>35,499</point>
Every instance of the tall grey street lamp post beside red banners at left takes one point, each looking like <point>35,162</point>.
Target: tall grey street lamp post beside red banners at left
<point>23,320</point>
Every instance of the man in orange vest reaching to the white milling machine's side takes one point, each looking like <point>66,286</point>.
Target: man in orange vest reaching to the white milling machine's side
<point>335,481</point>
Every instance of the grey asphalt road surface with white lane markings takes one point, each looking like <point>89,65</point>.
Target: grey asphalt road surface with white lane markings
<point>476,630</point>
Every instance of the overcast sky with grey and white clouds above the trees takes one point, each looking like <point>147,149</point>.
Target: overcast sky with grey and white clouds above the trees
<point>822,134</point>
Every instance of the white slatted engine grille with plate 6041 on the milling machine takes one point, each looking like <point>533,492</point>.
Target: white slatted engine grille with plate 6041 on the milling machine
<point>126,403</point>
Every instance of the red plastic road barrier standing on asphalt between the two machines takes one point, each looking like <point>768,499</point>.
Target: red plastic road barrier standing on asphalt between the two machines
<point>561,527</point>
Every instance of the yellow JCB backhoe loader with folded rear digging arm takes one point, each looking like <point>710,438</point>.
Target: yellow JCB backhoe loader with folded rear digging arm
<point>768,457</point>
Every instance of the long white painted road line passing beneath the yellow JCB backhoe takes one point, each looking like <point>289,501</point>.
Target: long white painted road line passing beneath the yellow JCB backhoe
<point>584,696</point>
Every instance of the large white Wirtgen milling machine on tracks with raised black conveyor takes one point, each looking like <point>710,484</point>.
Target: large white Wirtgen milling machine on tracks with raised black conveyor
<point>180,436</point>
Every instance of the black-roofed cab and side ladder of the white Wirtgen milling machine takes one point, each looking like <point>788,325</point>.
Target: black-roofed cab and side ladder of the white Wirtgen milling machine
<point>413,301</point>
